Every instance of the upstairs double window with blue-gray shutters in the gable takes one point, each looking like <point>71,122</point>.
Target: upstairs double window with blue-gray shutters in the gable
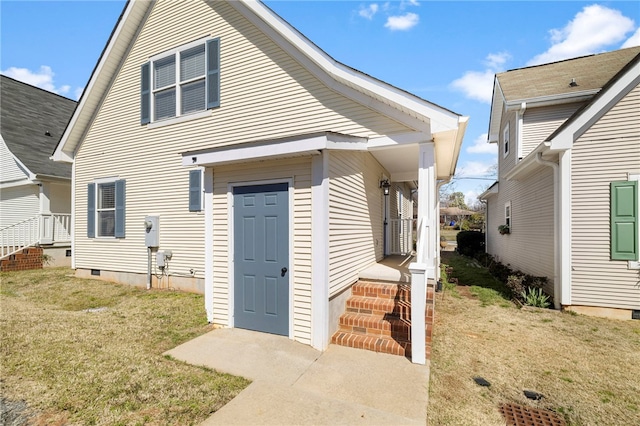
<point>185,81</point>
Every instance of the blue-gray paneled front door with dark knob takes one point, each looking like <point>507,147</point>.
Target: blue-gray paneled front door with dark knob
<point>261,258</point>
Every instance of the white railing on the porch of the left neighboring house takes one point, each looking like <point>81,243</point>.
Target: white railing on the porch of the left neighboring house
<point>42,229</point>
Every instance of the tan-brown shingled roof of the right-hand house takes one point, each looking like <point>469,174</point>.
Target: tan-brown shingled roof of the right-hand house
<point>590,72</point>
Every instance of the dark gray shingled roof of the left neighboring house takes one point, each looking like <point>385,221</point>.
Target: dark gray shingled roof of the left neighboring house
<point>27,113</point>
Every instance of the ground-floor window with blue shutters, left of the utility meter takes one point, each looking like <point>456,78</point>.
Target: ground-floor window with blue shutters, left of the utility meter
<point>106,209</point>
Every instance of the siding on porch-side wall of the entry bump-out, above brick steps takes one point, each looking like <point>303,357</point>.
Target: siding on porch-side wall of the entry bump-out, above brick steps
<point>355,216</point>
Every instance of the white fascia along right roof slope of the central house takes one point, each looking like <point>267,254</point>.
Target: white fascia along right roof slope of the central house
<point>307,53</point>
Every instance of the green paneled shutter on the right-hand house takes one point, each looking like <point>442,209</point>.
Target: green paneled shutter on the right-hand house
<point>624,220</point>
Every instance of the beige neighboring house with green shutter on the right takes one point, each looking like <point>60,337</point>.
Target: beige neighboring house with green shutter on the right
<point>569,163</point>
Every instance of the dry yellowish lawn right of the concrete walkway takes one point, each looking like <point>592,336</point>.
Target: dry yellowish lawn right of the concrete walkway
<point>587,368</point>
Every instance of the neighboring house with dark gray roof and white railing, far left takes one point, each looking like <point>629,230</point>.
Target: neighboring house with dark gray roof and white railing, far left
<point>35,192</point>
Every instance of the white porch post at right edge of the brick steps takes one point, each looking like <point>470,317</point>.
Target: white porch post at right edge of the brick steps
<point>425,266</point>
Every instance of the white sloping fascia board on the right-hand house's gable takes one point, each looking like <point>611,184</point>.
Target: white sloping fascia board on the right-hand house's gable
<point>565,138</point>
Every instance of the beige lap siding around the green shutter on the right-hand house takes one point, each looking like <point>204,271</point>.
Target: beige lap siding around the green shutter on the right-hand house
<point>606,152</point>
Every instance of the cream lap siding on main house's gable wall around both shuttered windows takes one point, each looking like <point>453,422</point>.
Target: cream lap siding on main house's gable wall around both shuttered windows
<point>265,94</point>
